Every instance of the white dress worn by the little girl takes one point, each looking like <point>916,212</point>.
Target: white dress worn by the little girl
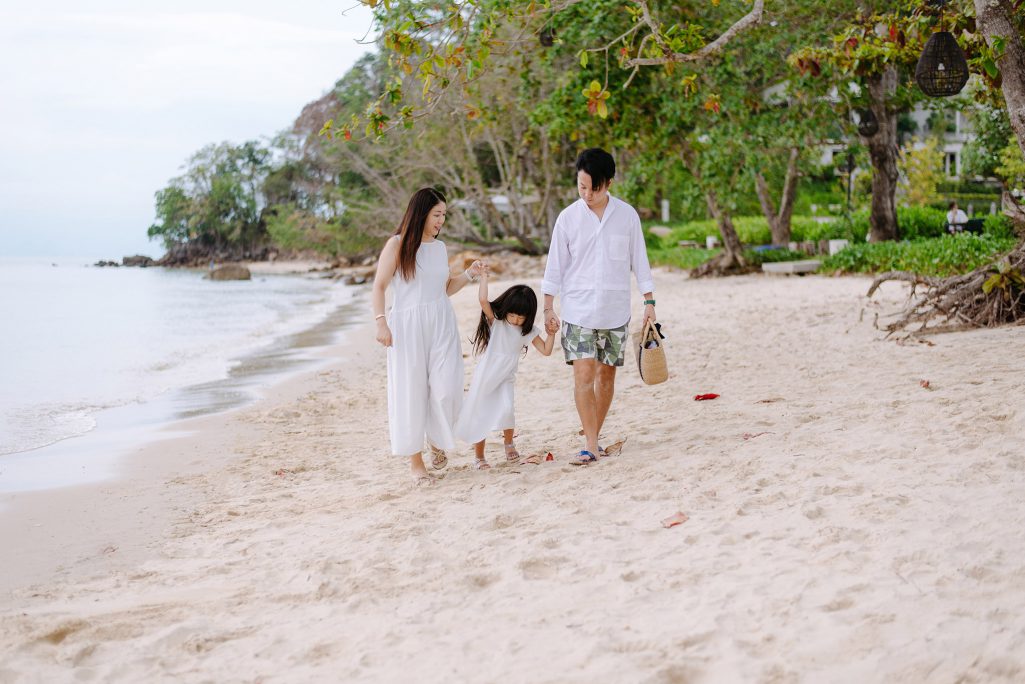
<point>488,406</point>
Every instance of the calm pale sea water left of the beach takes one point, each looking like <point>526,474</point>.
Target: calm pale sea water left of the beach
<point>78,341</point>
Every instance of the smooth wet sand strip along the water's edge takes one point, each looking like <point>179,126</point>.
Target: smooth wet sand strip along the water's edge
<point>112,525</point>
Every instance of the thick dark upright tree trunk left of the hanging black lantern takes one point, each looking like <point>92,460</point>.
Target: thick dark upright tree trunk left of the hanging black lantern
<point>883,151</point>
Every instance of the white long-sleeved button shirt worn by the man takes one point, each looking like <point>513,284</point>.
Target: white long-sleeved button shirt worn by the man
<point>590,264</point>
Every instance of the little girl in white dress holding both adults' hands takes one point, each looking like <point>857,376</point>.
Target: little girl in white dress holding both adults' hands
<point>506,329</point>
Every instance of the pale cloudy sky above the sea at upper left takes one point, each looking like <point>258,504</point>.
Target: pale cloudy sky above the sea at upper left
<point>103,103</point>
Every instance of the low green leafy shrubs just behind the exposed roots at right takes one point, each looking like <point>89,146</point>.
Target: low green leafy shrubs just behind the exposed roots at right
<point>938,257</point>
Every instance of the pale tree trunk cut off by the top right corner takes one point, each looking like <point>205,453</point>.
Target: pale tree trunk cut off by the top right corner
<point>994,20</point>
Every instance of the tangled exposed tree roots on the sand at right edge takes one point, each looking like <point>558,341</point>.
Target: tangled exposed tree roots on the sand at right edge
<point>959,303</point>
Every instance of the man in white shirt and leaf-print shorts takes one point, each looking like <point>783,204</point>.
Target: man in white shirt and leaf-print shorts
<point>596,244</point>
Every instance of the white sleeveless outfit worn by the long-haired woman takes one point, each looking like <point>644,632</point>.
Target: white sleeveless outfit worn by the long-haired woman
<point>425,363</point>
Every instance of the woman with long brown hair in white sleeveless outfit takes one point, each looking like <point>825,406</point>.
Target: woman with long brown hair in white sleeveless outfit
<point>425,358</point>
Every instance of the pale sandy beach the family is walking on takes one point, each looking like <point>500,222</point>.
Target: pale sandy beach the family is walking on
<point>847,524</point>
